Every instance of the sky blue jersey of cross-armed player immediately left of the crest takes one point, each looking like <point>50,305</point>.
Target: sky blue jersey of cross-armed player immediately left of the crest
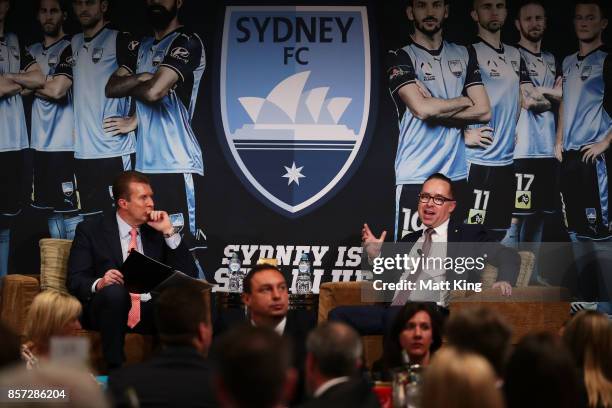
<point>166,142</point>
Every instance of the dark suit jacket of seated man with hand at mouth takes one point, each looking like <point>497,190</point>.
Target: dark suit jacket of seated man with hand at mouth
<point>96,248</point>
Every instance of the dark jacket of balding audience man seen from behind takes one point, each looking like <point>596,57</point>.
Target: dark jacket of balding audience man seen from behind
<point>351,394</point>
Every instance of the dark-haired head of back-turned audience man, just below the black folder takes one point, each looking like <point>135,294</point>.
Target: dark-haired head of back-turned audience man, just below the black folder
<point>182,318</point>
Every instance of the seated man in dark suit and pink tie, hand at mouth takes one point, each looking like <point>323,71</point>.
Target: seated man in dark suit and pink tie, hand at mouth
<point>100,246</point>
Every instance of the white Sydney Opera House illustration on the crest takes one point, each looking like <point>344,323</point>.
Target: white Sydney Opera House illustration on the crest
<point>289,113</point>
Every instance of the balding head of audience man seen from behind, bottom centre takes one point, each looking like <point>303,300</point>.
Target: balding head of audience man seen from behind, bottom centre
<point>333,350</point>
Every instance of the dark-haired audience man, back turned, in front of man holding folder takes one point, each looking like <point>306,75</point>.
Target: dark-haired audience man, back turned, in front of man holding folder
<point>180,374</point>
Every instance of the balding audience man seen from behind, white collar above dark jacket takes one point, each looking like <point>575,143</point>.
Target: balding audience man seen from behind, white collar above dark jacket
<point>332,365</point>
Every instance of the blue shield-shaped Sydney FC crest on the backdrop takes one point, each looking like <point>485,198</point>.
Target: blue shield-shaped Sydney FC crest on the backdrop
<point>294,100</point>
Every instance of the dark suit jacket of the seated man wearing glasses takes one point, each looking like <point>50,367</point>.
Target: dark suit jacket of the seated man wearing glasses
<point>475,242</point>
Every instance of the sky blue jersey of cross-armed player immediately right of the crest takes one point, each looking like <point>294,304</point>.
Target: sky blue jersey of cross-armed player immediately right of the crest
<point>425,148</point>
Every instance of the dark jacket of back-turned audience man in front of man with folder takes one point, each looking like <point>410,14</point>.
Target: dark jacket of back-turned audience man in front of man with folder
<point>176,377</point>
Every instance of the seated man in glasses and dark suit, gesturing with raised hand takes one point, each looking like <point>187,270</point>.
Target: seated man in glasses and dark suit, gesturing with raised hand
<point>456,240</point>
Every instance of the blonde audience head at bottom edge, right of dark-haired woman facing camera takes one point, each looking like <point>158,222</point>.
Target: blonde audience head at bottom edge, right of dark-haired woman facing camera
<point>457,379</point>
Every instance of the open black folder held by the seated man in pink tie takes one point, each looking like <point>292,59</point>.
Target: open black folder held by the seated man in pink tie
<point>142,274</point>
